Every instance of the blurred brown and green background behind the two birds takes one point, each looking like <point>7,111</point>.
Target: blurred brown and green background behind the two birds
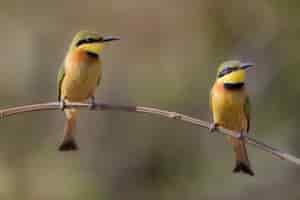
<point>167,58</point>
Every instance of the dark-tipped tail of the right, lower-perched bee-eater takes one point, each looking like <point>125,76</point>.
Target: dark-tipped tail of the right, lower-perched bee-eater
<point>242,161</point>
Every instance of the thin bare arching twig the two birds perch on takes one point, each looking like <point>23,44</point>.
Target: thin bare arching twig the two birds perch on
<point>141,109</point>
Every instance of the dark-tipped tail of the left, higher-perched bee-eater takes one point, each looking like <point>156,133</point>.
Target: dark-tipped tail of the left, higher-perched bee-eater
<point>69,143</point>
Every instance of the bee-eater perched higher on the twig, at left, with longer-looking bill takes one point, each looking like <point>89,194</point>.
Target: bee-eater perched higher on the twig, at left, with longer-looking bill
<point>78,78</point>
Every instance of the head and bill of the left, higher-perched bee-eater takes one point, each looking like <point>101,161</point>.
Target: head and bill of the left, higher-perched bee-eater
<point>90,42</point>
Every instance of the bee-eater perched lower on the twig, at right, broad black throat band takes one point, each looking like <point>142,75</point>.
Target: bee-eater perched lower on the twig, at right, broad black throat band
<point>231,108</point>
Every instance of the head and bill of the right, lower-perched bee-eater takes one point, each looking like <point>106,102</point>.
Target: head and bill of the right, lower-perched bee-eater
<point>232,72</point>
